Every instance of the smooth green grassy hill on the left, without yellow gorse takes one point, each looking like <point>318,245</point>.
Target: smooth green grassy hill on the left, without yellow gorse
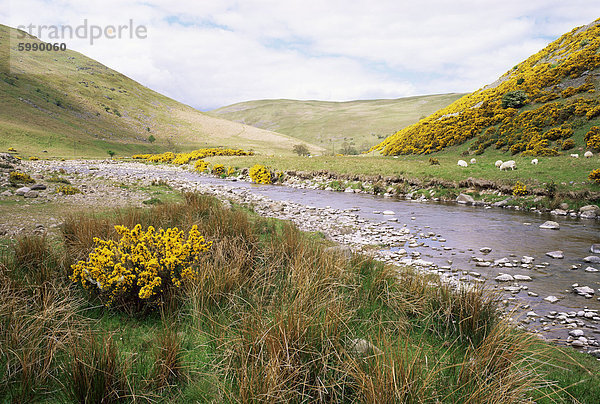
<point>73,106</point>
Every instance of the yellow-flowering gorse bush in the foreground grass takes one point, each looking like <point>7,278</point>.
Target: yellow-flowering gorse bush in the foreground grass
<point>142,265</point>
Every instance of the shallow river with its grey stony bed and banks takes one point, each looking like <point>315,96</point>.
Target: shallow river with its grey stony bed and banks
<point>399,235</point>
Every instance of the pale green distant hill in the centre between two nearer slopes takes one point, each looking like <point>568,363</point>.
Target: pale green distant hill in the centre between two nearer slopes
<point>327,124</point>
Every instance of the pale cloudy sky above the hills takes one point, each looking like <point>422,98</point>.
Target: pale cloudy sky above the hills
<point>211,53</point>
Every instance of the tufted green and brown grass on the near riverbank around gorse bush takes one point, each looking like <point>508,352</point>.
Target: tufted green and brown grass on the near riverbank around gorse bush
<point>272,317</point>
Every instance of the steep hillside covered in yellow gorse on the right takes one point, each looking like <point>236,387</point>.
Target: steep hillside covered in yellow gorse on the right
<point>542,107</point>
